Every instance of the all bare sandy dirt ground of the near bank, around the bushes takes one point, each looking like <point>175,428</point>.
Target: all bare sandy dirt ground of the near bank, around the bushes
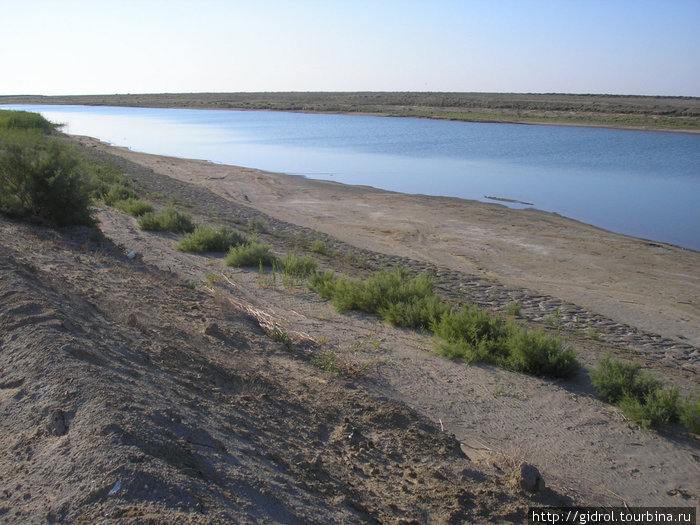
<point>148,390</point>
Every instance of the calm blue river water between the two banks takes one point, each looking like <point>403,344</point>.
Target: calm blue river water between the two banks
<point>644,184</point>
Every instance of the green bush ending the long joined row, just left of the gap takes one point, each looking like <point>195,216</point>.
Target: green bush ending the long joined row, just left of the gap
<point>540,354</point>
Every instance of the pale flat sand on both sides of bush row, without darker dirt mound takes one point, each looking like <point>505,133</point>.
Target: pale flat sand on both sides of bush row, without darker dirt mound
<point>639,298</point>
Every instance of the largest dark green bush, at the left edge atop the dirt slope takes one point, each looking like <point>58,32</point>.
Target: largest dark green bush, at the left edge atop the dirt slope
<point>41,179</point>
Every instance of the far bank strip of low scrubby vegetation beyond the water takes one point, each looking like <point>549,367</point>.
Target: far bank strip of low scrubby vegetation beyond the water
<point>681,114</point>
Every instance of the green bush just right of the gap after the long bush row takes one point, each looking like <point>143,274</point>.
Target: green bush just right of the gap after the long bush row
<point>614,380</point>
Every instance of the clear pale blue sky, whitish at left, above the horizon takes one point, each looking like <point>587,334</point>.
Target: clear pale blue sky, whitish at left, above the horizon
<point>74,47</point>
